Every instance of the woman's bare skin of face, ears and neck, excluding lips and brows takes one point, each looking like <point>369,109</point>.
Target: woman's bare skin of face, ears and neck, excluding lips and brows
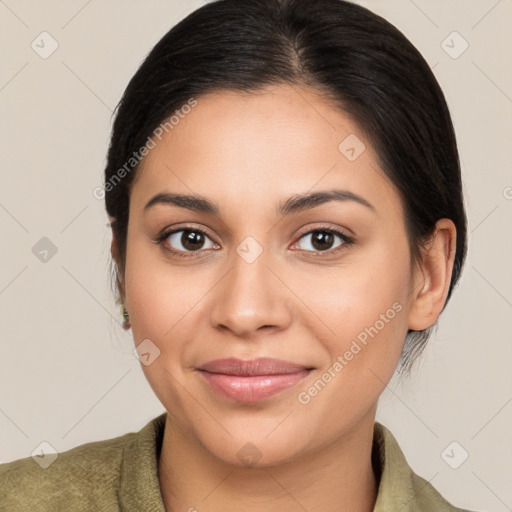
<point>247,153</point>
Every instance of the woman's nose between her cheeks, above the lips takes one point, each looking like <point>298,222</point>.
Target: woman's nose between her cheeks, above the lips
<point>251,299</point>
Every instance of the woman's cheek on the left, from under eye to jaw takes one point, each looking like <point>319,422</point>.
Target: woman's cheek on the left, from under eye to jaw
<point>163,303</point>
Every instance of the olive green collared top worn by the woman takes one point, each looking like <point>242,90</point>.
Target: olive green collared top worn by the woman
<point>121,474</point>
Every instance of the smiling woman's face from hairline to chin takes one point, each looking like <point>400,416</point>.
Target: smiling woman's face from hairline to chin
<point>262,278</point>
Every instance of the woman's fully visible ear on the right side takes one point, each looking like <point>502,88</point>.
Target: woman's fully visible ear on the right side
<point>432,276</point>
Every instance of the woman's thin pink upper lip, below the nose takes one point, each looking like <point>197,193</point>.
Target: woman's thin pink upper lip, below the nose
<point>260,366</point>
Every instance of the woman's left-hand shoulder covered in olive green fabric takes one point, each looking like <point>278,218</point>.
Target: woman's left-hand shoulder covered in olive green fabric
<point>82,477</point>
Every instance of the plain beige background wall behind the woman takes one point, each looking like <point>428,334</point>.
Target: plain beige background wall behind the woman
<point>67,372</point>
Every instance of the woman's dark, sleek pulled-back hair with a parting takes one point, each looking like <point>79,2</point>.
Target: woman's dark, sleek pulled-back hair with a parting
<point>351,56</point>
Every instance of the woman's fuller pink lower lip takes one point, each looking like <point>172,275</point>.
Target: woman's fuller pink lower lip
<point>252,388</point>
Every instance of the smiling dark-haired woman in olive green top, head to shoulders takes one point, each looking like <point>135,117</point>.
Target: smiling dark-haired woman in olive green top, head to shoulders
<point>288,224</point>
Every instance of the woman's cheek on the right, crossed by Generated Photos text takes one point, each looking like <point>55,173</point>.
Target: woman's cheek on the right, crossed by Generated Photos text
<point>366,308</point>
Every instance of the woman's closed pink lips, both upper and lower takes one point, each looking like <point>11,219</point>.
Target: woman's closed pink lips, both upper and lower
<point>254,380</point>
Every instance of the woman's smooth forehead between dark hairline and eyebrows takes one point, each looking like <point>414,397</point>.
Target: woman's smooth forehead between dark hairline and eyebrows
<point>247,149</point>
